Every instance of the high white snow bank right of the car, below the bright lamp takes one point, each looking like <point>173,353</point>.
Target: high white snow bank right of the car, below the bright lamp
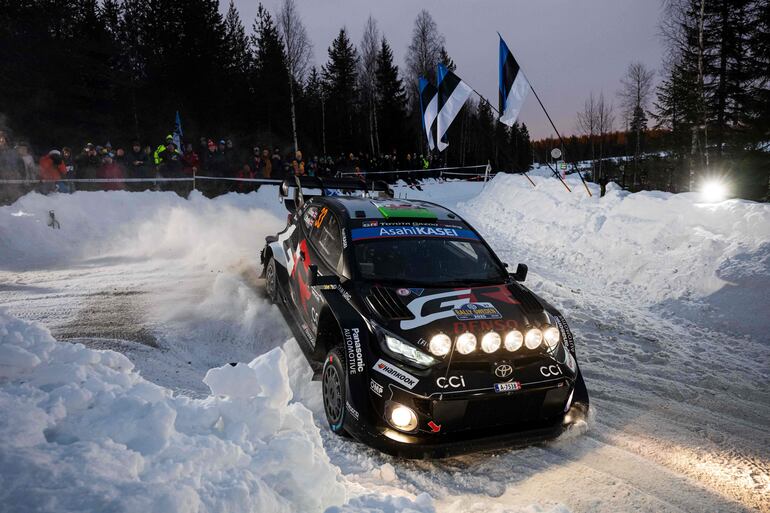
<point>669,247</point>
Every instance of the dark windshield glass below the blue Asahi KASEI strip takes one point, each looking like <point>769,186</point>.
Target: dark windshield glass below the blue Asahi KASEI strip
<point>427,261</point>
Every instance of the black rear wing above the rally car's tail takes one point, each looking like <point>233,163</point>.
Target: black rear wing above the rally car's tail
<point>306,187</point>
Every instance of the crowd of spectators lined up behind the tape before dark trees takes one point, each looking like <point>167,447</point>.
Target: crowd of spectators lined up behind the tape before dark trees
<point>142,164</point>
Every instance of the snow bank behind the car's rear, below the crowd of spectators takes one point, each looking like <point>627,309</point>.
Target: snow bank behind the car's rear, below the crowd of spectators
<point>138,224</point>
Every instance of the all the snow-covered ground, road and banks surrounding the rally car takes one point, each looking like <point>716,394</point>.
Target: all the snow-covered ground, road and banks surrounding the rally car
<point>669,299</point>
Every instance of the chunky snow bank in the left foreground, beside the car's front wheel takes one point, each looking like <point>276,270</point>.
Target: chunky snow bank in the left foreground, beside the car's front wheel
<point>82,432</point>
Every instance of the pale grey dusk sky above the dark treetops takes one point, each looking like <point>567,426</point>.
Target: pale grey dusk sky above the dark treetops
<point>567,48</point>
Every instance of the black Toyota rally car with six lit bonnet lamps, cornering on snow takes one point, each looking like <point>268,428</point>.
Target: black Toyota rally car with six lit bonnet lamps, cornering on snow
<point>424,343</point>
